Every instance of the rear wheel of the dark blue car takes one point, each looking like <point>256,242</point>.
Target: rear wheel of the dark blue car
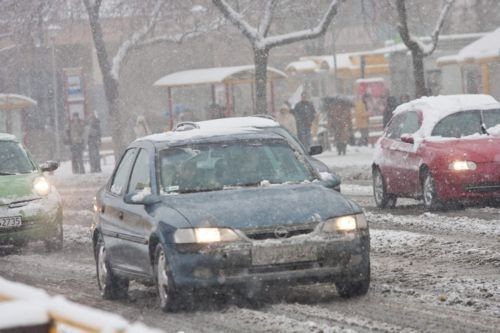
<point>110,285</point>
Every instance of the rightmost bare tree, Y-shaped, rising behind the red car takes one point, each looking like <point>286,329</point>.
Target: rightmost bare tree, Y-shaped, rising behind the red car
<point>418,49</point>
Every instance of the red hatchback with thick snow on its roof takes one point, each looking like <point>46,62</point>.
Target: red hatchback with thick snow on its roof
<point>440,149</point>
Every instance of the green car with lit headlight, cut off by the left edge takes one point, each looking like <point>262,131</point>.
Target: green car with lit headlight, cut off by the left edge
<point>30,207</point>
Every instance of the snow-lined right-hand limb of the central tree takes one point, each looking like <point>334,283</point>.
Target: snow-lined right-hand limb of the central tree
<point>319,30</point>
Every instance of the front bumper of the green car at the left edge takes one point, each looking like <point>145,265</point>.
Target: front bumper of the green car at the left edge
<point>40,218</point>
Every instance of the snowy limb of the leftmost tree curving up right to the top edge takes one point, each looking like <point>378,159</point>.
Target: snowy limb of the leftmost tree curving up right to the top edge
<point>136,37</point>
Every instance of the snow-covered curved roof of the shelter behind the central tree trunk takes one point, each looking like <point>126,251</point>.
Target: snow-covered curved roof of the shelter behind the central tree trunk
<point>216,75</point>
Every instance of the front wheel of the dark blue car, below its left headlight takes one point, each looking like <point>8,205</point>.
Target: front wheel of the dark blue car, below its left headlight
<point>167,294</point>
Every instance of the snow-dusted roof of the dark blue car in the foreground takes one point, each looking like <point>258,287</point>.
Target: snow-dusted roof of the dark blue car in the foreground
<point>198,135</point>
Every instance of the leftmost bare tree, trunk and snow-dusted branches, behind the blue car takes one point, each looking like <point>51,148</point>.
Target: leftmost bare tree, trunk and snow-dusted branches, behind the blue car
<point>142,36</point>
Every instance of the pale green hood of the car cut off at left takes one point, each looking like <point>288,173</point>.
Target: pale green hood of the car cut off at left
<point>16,187</point>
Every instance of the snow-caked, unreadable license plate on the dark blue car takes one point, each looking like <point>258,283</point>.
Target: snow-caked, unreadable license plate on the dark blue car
<point>282,254</point>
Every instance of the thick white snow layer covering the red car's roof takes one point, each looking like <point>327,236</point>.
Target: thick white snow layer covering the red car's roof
<point>435,108</point>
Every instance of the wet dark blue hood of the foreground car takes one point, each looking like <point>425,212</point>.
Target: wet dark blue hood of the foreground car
<point>261,206</point>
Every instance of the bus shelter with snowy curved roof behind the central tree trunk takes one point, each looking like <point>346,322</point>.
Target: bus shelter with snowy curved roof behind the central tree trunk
<point>211,77</point>
